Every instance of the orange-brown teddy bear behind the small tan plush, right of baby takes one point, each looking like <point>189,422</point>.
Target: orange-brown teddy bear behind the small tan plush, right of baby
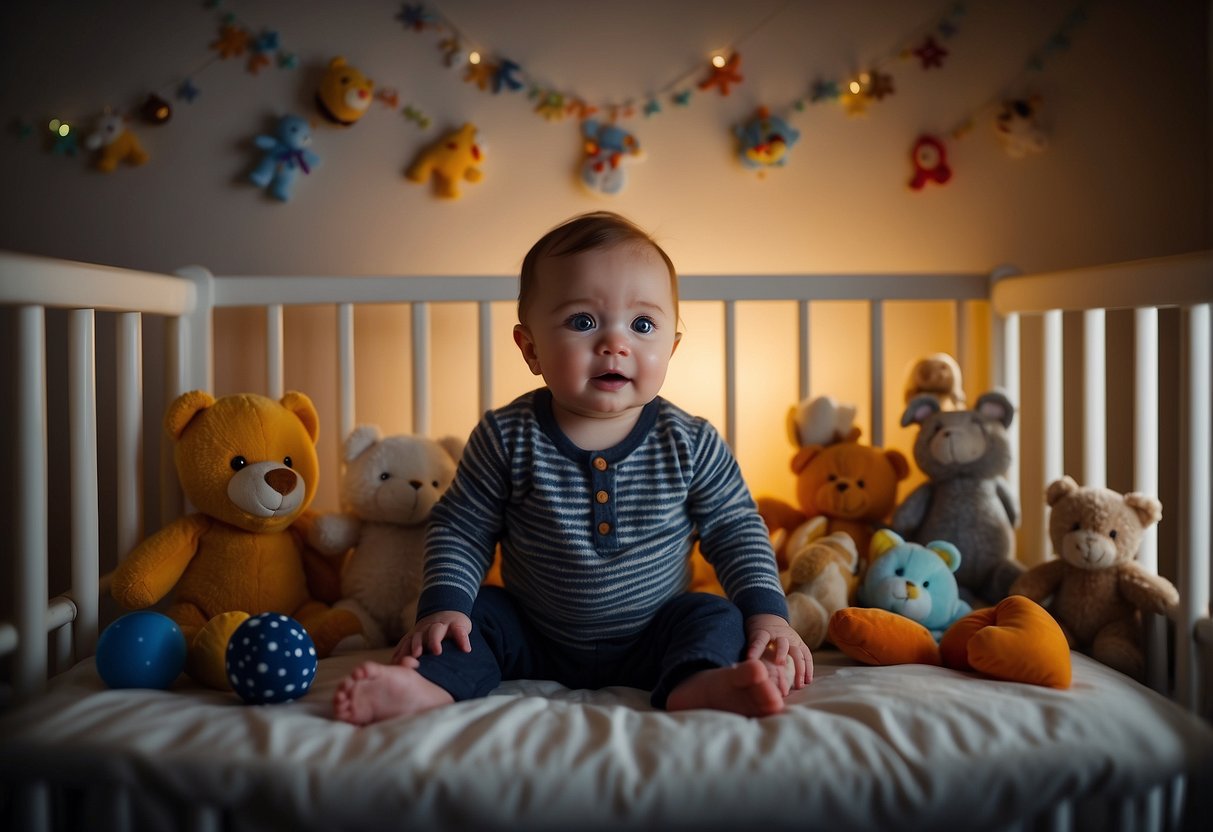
<point>855,487</point>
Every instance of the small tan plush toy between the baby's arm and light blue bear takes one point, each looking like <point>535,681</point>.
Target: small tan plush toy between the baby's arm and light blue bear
<point>821,577</point>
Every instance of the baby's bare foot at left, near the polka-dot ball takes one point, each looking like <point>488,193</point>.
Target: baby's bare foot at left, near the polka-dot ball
<point>375,692</point>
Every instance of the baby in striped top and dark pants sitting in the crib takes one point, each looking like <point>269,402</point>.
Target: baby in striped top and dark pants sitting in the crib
<point>596,489</point>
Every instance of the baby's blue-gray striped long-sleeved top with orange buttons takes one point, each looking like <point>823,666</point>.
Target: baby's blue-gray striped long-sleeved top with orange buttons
<point>595,543</point>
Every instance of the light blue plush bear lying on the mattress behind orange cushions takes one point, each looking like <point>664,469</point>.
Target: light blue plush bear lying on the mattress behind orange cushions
<point>914,580</point>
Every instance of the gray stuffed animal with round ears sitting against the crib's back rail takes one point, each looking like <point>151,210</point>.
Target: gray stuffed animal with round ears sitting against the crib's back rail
<point>967,502</point>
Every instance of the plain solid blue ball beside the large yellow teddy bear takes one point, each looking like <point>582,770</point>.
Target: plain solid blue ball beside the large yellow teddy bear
<point>141,649</point>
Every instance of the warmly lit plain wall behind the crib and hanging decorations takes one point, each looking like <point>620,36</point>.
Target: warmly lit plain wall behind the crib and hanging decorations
<point>1126,175</point>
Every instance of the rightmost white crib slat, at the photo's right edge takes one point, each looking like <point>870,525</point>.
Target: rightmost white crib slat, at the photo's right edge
<point>1198,503</point>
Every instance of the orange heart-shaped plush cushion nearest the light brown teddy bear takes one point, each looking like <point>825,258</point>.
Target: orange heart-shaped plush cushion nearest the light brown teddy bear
<point>1017,641</point>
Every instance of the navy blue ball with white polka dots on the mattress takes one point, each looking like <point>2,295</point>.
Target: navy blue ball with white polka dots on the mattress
<point>271,659</point>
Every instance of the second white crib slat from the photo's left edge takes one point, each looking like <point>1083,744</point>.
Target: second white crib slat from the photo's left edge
<point>86,520</point>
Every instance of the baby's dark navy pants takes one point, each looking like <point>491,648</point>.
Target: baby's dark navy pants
<point>690,634</point>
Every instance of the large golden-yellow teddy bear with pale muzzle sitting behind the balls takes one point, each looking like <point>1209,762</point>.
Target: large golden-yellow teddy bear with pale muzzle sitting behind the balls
<point>249,465</point>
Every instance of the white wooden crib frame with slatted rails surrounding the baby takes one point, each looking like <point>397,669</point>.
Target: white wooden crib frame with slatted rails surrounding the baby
<point>1028,354</point>
